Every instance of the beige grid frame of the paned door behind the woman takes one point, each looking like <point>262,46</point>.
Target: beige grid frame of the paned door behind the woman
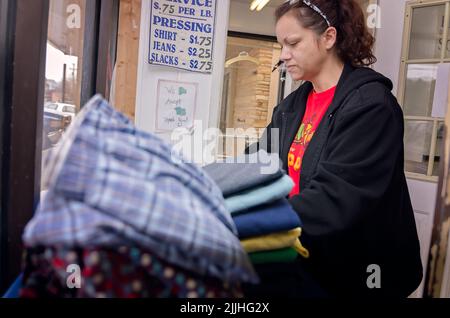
<point>405,61</point>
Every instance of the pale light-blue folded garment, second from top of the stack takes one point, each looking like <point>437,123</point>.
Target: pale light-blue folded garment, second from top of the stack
<point>278,189</point>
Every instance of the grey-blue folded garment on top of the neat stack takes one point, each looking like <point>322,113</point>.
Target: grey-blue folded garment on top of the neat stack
<point>245,172</point>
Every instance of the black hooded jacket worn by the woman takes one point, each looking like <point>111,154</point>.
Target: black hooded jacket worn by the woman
<point>353,201</point>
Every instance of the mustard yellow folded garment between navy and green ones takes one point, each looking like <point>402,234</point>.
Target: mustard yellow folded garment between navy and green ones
<point>271,241</point>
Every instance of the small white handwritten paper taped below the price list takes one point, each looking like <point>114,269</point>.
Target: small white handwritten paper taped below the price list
<point>176,105</point>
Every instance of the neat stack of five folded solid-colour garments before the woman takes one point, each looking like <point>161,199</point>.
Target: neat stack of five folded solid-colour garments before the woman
<point>255,194</point>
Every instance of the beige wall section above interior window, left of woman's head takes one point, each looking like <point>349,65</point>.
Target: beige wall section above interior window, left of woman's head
<point>244,20</point>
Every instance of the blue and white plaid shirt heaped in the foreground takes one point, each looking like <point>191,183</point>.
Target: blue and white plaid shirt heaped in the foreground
<point>110,184</point>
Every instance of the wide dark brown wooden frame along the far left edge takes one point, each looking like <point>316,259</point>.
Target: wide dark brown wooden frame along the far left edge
<point>23,108</point>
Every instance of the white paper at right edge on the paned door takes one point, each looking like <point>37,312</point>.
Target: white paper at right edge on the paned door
<point>440,101</point>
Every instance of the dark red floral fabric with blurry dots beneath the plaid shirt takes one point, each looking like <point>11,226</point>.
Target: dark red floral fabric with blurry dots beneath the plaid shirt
<point>113,273</point>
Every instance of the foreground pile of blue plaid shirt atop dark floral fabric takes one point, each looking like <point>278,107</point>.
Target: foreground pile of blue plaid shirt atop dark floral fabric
<point>126,216</point>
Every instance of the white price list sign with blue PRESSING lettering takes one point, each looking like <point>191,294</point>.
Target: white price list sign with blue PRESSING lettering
<point>182,34</point>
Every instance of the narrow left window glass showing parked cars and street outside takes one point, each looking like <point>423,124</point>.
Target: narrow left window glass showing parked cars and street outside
<point>63,69</point>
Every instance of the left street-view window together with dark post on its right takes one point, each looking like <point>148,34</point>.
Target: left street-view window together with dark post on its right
<point>79,40</point>
